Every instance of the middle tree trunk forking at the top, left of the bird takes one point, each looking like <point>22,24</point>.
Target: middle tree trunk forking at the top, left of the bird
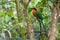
<point>30,30</point>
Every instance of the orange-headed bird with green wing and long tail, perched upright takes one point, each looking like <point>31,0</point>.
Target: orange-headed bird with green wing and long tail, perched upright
<point>39,17</point>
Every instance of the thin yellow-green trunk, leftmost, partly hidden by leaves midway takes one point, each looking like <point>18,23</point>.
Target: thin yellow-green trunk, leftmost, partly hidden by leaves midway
<point>18,14</point>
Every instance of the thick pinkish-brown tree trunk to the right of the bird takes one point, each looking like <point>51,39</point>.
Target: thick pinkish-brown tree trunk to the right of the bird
<point>52,30</point>
